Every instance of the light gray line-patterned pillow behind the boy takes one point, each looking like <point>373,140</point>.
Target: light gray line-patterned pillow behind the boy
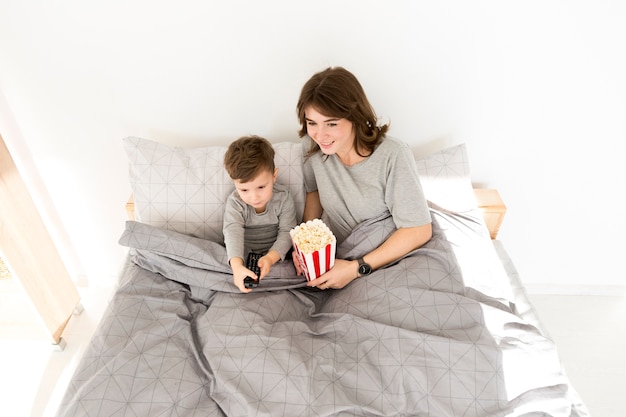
<point>185,189</point>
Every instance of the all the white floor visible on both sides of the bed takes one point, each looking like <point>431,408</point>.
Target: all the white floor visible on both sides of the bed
<point>590,332</point>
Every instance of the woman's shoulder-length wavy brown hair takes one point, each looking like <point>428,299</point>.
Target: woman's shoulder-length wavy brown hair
<point>336,92</point>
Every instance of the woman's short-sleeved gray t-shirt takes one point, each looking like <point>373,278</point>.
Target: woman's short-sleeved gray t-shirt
<point>386,181</point>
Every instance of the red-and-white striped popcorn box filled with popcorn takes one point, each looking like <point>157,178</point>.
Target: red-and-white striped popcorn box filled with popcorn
<point>314,245</point>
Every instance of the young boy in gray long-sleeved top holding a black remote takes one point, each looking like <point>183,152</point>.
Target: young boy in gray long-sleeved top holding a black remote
<point>260,213</point>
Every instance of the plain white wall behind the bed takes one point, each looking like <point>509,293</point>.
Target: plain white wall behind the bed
<point>537,89</point>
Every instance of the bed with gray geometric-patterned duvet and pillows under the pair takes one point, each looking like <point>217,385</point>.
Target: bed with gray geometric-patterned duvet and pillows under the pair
<point>446,331</point>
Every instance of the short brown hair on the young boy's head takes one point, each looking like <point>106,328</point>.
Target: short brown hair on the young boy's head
<point>247,157</point>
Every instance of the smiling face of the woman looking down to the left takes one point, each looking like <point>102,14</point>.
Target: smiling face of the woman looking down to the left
<point>333,135</point>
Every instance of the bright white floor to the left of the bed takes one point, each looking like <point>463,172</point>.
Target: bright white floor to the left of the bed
<point>33,373</point>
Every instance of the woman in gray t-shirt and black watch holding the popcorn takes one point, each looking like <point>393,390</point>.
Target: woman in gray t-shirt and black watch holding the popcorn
<point>354,173</point>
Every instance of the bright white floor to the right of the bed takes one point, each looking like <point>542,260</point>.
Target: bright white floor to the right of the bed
<point>590,334</point>
